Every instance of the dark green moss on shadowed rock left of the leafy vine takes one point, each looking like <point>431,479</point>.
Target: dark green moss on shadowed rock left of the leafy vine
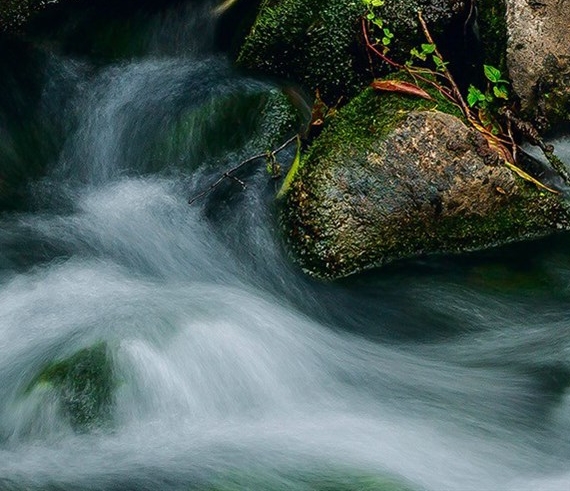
<point>312,42</point>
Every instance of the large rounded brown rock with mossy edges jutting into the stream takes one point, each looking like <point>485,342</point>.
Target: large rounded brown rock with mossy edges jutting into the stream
<point>394,177</point>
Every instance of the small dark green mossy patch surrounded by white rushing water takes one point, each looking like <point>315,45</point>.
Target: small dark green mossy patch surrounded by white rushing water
<point>85,383</point>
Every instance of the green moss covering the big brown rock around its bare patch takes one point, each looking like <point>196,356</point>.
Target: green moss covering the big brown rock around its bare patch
<point>335,177</point>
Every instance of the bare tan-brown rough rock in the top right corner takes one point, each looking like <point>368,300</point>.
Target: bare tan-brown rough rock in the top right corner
<point>538,56</point>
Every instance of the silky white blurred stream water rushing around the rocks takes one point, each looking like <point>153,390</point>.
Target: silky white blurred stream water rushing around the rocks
<point>232,369</point>
